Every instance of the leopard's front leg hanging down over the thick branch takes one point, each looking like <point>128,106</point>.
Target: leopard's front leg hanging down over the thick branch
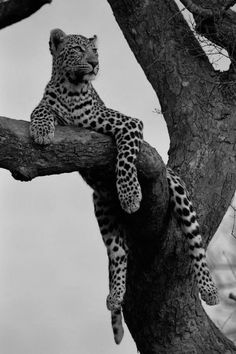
<point>128,135</point>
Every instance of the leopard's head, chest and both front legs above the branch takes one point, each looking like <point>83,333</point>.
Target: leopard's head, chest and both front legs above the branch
<point>70,99</point>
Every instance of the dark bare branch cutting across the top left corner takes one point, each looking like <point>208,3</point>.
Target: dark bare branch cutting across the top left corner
<point>12,11</point>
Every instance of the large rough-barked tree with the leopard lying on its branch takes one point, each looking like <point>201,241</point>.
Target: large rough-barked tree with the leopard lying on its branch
<point>162,308</point>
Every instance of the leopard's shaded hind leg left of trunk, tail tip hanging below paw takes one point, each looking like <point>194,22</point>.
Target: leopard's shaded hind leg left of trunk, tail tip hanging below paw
<point>114,240</point>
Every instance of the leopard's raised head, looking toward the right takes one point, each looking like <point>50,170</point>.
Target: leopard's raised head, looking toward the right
<point>74,56</point>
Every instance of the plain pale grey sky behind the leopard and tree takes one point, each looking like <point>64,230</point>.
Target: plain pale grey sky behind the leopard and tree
<point>53,264</point>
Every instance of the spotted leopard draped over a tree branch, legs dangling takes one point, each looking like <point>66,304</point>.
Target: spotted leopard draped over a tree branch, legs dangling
<point>70,99</point>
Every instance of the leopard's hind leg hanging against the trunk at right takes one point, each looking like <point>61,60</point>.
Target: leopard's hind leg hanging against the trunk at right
<point>184,212</point>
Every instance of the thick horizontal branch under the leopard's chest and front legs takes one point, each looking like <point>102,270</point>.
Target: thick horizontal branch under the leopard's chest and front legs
<point>73,149</point>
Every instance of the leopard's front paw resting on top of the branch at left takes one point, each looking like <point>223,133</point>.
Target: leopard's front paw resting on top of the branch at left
<point>42,135</point>
